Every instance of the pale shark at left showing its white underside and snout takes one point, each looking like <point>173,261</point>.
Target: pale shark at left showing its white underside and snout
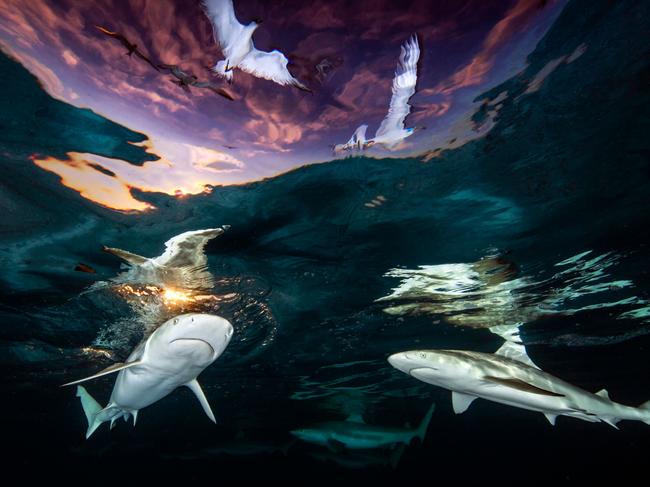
<point>173,356</point>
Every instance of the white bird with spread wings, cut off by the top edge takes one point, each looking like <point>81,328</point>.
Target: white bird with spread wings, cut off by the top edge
<point>236,41</point>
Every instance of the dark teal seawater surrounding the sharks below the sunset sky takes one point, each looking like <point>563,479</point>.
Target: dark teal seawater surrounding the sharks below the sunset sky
<point>564,171</point>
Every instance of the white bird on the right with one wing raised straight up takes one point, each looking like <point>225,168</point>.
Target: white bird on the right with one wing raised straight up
<point>391,131</point>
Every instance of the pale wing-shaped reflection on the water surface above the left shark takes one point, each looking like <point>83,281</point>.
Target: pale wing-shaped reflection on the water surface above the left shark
<point>183,264</point>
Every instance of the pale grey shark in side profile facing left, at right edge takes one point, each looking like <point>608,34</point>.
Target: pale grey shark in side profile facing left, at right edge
<point>501,379</point>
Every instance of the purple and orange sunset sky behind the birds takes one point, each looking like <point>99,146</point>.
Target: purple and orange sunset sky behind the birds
<point>203,139</point>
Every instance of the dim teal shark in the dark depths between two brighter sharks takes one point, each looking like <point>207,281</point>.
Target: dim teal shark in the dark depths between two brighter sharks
<point>355,434</point>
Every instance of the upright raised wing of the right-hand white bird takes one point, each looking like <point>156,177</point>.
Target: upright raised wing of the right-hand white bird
<point>403,88</point>
